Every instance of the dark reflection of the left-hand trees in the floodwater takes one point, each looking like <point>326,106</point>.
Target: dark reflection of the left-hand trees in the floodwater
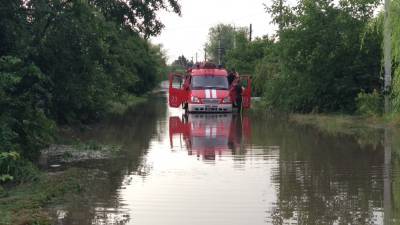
<point>102,179</point>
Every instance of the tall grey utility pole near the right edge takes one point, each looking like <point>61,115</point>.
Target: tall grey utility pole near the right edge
<point>387,56</point>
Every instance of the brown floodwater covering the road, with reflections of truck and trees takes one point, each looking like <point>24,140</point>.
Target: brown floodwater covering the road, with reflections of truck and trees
<point>228,169</point>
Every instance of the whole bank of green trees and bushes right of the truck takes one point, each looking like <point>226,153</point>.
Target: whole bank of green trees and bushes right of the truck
<point>326,58</point>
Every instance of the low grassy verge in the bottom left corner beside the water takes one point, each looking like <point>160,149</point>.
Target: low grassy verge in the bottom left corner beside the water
<point>23,204</point>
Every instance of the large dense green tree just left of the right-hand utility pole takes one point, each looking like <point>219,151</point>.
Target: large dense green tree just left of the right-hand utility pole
<point>325,56</point>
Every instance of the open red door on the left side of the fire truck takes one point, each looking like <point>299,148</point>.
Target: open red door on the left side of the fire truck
<point>176,92</point>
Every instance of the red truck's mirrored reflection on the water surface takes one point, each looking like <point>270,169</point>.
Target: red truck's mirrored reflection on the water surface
<point>210,135</point>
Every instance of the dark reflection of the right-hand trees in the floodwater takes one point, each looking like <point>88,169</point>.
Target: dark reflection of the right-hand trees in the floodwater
<point>322,179</point>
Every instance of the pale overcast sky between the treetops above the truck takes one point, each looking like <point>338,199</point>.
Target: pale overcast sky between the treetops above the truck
<point>187,34</point>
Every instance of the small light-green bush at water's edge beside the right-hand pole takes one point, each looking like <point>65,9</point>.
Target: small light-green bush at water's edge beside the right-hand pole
<point>369,104</point>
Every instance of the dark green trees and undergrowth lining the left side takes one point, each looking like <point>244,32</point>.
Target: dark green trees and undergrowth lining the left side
<point>64,63</point>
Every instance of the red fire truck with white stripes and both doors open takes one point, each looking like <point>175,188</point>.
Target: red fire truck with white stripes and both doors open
<point>206,89</point>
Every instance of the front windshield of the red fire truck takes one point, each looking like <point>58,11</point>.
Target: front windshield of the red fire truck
<point>210,82</point>
